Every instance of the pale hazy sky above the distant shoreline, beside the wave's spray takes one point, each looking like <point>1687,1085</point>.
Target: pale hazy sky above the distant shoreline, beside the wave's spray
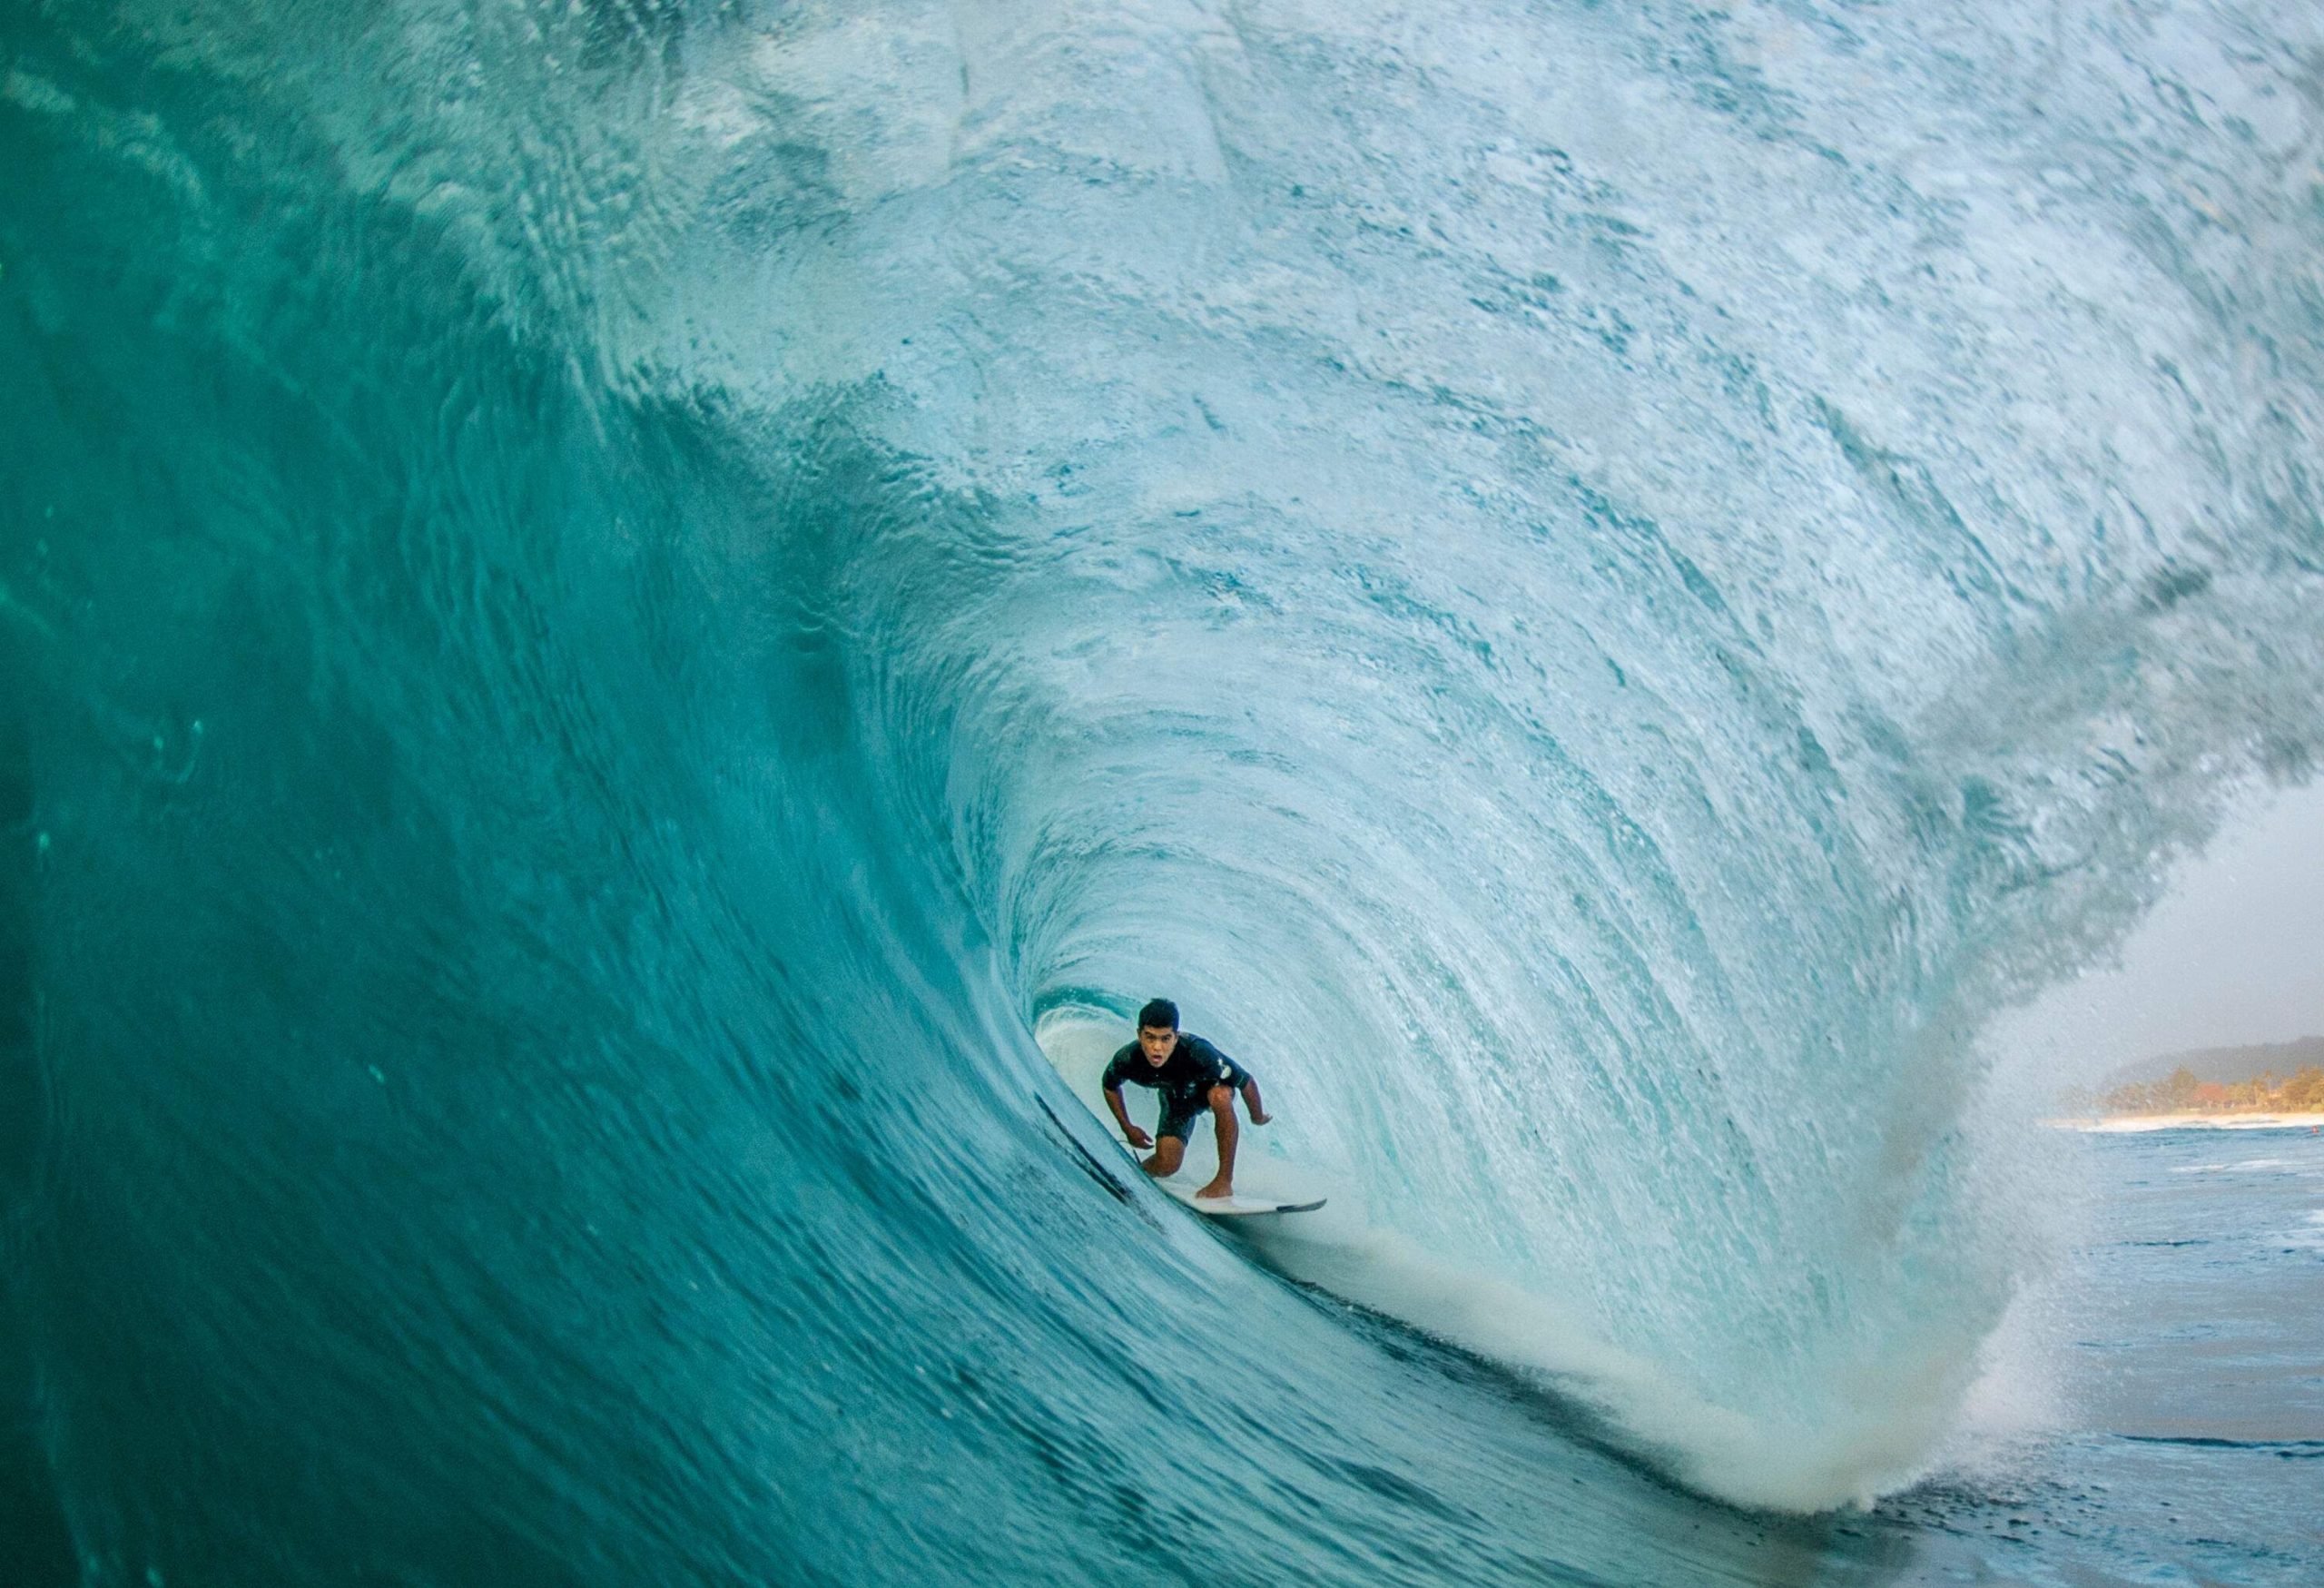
<point>2232,954</point>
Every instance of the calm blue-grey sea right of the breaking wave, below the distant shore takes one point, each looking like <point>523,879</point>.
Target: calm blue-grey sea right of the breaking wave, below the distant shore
<point>2160,1412</point>
